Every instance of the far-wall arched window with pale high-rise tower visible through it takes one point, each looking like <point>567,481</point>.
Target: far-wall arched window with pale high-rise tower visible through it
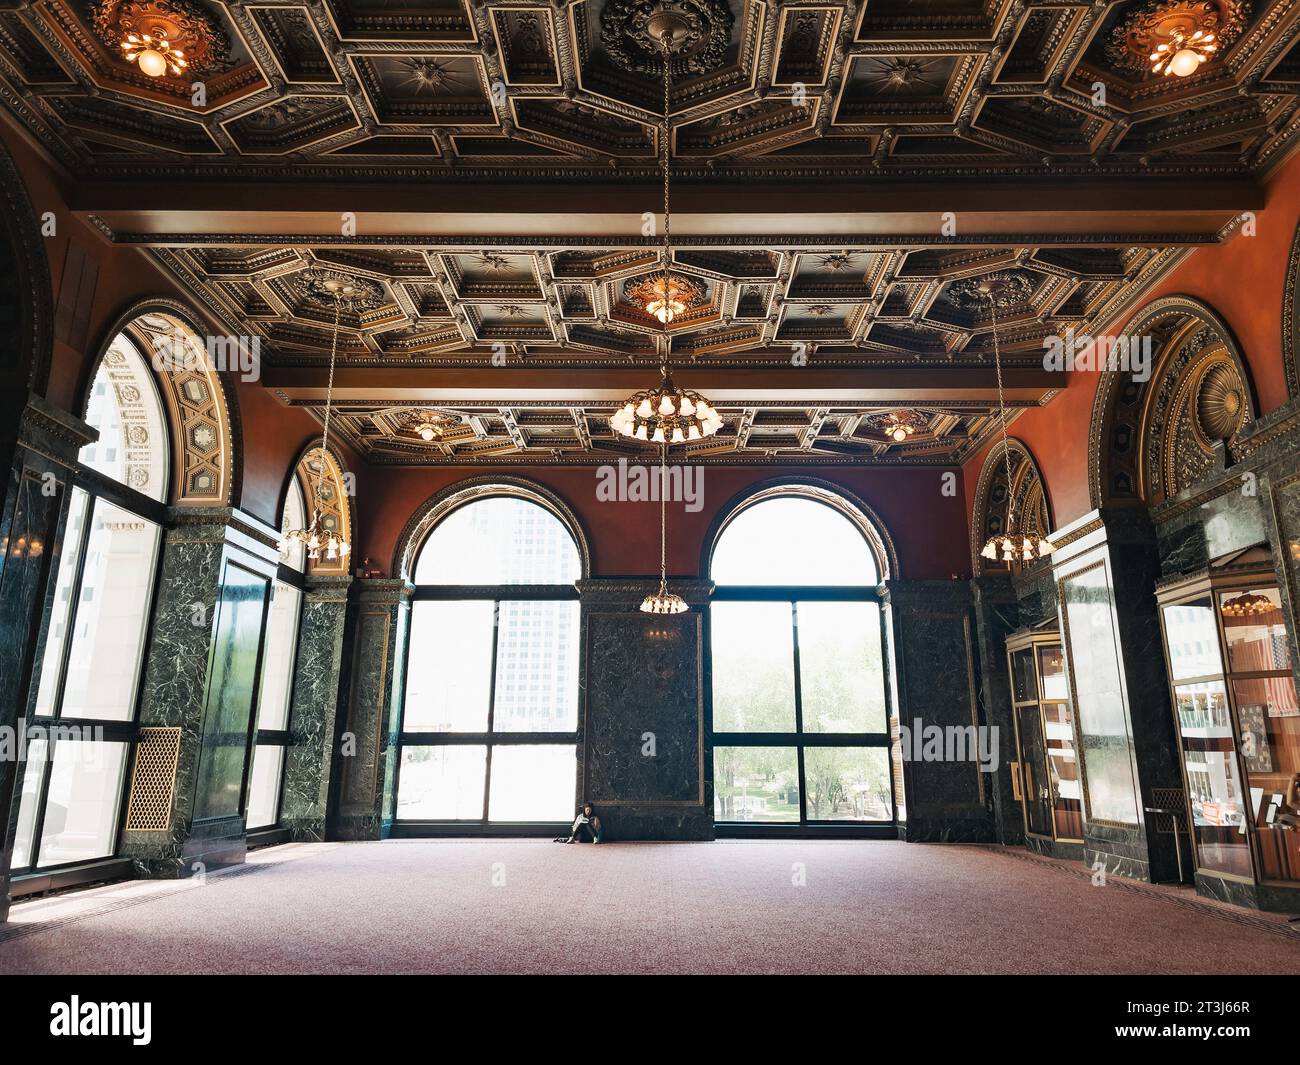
<point>489,724</point>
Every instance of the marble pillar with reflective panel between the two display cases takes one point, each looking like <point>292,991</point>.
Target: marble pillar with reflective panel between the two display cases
<point>1107,566</point>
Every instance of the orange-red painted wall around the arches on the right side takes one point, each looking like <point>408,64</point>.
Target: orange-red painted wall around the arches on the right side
<point>1242,282</point>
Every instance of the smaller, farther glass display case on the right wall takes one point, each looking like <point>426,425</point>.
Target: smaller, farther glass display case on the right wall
<point>1046,773</point>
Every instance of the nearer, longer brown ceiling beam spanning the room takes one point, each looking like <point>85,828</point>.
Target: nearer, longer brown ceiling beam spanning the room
<point>1155,211</point>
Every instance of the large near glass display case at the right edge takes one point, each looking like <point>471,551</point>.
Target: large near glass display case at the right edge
<point>1238,721</point>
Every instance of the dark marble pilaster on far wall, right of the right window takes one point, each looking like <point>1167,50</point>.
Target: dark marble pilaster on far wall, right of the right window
<point>948,799</point>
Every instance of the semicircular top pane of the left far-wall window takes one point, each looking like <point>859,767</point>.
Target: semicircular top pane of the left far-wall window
<point>500,542</point>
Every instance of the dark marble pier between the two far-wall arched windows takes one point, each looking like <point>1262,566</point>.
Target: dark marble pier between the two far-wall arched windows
<point>647,674</point>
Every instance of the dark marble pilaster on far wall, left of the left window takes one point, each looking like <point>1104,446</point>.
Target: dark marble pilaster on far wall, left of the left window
<point>367,746</point>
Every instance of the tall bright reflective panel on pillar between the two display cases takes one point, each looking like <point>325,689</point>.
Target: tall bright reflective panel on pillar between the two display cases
<point>1108,750</point>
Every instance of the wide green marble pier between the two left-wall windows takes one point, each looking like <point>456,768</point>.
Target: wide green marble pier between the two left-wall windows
<point>202,669</point>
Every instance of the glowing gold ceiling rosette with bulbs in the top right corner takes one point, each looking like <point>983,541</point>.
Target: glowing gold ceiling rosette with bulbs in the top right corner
<point>1177,37</point>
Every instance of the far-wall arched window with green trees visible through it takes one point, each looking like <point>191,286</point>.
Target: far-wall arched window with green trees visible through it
<point>801,725</point>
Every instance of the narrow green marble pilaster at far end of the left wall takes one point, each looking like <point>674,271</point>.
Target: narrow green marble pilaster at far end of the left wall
<point>314,716</point>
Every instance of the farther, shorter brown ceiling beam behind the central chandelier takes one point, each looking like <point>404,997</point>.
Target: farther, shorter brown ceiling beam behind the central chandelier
<point>812,384</point>
